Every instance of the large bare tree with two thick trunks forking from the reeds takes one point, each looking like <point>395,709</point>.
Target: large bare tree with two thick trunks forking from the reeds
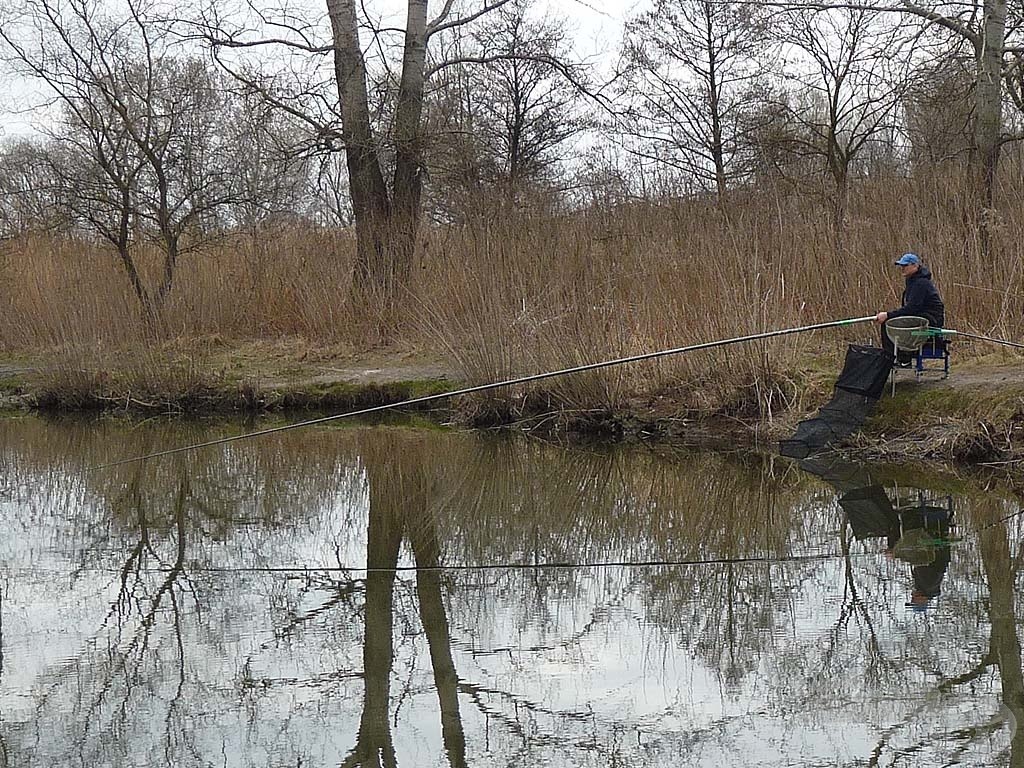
<point>386,163</point>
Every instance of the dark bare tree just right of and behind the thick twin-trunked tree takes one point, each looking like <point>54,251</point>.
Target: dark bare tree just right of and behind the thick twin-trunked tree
<point>502,104</point>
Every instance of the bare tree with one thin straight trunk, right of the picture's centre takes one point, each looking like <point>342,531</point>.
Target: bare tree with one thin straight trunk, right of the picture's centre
<point>691,84</point>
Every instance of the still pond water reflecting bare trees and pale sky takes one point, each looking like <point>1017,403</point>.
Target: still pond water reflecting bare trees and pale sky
<point>598,607</point>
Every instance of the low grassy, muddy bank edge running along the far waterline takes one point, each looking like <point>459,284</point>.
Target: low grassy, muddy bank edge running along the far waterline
<point>925,420</point>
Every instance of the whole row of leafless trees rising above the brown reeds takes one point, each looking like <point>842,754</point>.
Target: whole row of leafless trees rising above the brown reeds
<point>169,126</point>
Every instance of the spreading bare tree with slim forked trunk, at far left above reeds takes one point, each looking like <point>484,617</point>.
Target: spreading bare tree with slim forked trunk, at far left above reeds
<point>143,155</point>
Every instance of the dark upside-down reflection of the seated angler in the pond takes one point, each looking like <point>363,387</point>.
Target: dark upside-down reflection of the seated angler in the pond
<point>920,536</point>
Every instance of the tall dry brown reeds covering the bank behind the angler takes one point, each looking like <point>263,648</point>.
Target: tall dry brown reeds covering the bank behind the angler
<point>520,293</point>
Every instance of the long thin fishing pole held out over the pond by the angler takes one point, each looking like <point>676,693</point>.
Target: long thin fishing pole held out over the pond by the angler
<point>494,386</point>
